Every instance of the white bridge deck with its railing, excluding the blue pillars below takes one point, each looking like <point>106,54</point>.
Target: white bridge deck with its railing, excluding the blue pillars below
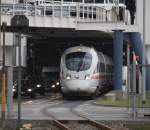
<point>76,16</point>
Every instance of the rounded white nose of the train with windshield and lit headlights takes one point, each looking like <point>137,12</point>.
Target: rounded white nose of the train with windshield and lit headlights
<point>77,66</point>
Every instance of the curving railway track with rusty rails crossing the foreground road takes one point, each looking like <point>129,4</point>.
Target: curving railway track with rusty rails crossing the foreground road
<point>85,124</point>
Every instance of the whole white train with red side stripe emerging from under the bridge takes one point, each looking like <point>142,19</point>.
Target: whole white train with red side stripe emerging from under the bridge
<point>85,72</point>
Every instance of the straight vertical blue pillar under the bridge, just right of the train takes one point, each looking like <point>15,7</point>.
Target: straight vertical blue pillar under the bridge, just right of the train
<point>118,59</point>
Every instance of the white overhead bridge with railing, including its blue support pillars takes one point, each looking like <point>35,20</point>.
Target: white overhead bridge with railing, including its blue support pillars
<point>102,15</point>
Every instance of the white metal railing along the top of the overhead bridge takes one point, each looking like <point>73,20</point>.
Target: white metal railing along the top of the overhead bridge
<point>77,10</point>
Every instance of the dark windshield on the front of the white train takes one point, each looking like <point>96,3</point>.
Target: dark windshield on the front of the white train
<point>78,61</point>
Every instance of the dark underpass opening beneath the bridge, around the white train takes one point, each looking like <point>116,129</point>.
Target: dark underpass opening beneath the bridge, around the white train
<point>44,55</point>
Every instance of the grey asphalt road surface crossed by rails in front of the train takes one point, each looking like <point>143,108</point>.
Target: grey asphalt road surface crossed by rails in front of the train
<point>49,107</point>
